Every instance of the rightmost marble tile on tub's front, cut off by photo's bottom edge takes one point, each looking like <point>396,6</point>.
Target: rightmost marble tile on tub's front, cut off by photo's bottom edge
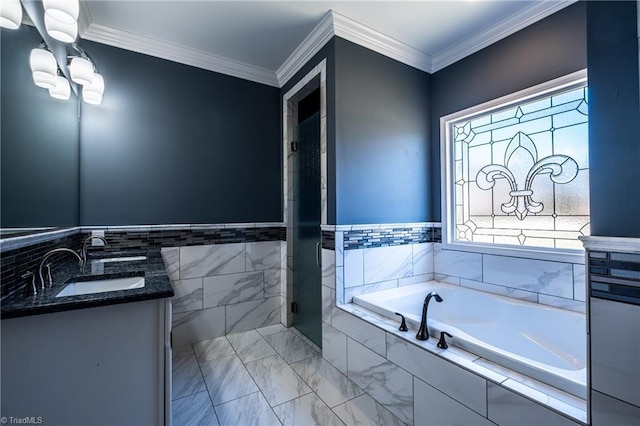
<point>507,408</point>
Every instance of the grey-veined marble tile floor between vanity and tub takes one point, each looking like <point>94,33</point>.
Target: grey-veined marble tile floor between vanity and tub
<point>268,376</point>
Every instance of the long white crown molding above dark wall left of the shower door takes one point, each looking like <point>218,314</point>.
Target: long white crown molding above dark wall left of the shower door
<point>177,53</point>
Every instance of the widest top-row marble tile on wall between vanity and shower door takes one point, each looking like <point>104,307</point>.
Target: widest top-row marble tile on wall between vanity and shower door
<point>203,261</point>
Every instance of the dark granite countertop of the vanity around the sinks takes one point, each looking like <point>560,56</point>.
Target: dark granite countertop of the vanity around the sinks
<point>157,284</point>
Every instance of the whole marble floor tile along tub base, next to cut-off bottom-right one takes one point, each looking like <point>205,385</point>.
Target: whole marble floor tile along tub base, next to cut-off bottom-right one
<point>330,384</point>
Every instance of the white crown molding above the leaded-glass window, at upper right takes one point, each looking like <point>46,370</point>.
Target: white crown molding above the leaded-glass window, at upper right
<point>496,32</point>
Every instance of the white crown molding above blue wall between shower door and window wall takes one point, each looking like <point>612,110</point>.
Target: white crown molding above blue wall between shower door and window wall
<point>371,39</point>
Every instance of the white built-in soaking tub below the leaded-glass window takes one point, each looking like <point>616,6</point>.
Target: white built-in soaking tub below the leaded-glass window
<point>542,342</point>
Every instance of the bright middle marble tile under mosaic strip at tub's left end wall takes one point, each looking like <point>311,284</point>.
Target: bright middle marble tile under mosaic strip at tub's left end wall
<point>387,263</point>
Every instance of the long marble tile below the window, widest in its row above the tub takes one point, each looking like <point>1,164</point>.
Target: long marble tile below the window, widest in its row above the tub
<point>540,276</point>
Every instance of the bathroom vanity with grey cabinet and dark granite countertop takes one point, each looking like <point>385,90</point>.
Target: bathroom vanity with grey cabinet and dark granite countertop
<point>99,358</point>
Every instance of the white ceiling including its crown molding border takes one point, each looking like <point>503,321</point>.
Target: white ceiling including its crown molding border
<point>267,41</point>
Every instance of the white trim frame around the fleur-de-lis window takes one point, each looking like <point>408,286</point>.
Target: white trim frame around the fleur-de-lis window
<point>447,167</point>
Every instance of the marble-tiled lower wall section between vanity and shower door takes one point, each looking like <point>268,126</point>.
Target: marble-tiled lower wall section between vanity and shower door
<point>224,288</point>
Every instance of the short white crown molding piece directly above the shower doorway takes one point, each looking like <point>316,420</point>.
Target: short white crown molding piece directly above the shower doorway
<point>317,38</point>
